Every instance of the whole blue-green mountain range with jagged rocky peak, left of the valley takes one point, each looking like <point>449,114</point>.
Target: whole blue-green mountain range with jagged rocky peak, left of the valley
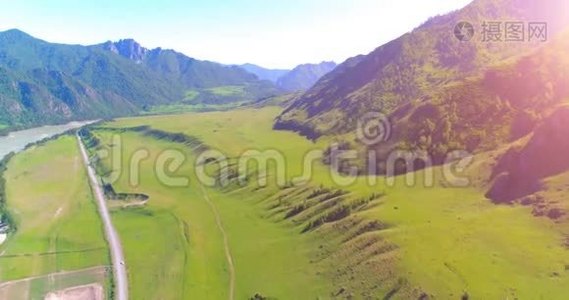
<point>44,83</point>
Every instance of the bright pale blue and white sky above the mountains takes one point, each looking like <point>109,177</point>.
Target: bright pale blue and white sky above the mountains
<point>270,33</point>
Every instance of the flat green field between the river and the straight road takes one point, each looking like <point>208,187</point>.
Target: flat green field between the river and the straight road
<point>58,226</point>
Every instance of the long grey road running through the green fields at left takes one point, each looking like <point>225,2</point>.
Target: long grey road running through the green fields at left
<point>117,256</point>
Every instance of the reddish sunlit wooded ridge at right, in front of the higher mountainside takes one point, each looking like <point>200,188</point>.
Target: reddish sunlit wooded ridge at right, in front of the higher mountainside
<point>485,112</point>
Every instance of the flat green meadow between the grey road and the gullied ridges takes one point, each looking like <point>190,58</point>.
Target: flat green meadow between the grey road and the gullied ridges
<point>176,248</point>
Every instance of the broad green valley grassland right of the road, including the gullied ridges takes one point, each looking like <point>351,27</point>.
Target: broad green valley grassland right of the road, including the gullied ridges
<point>439,241</point>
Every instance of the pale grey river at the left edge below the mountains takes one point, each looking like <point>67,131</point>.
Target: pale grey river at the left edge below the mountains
<point>17,140</point>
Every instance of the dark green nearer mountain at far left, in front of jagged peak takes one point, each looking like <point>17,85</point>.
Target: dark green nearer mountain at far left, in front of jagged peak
<point>45,83</point>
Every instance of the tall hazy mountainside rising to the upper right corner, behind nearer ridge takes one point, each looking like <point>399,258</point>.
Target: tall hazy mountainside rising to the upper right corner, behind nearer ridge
<point>407,68</point>
